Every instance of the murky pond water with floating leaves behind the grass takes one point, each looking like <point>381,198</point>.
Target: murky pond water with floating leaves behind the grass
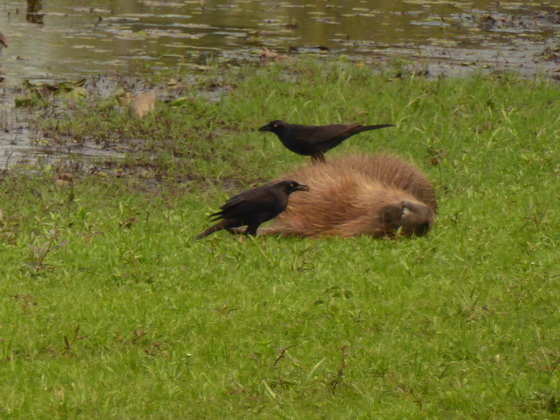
<point>68,39</point>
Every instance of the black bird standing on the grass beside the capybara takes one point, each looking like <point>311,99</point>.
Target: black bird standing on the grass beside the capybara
<point>254,207</point>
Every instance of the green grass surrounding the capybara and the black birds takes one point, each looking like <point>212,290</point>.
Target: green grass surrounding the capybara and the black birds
<point>110,309</point>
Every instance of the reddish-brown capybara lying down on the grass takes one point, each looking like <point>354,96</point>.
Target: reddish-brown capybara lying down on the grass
<point>381,196</point>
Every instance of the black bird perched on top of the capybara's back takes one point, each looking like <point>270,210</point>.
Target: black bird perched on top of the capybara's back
<point>315,140</point>
